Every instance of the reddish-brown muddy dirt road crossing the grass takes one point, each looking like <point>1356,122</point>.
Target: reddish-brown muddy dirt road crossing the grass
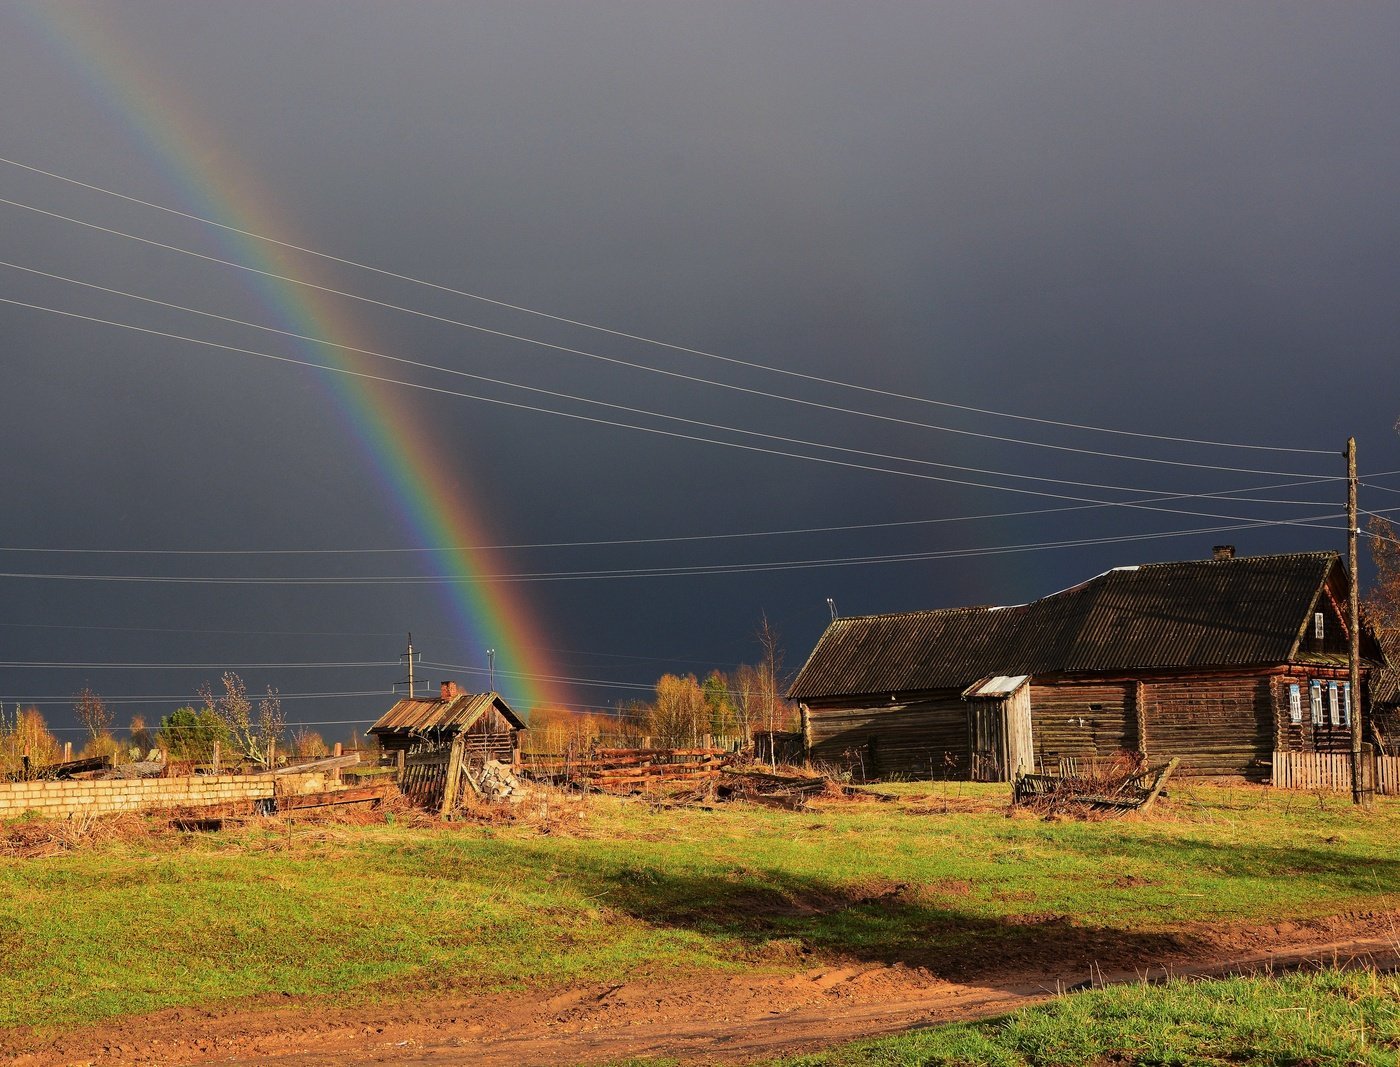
<point>696,1019</point>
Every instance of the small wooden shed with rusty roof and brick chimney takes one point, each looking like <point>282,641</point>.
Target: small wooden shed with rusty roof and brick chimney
<point>485,723</point>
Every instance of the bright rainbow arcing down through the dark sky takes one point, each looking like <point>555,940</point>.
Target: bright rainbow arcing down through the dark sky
<point>428,488</point>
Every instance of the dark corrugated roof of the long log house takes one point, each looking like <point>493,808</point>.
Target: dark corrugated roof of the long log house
<point>1199,614</point>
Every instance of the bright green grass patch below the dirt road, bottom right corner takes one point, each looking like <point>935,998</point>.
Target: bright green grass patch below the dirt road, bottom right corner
<point>1317,1019</point>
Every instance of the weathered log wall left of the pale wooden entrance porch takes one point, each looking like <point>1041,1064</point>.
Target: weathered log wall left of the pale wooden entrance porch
<point>920,740</point>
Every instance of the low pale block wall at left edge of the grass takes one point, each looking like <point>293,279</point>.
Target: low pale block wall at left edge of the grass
<point>64,799</point>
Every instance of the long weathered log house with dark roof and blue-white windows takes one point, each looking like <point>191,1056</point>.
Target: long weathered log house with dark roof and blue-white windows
<point>1219,663</point>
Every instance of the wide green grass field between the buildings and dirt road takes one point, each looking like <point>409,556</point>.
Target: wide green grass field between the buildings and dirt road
<point>943,879</point>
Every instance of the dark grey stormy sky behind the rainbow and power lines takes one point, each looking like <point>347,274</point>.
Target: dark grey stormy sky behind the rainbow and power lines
<point>881,239</point>
